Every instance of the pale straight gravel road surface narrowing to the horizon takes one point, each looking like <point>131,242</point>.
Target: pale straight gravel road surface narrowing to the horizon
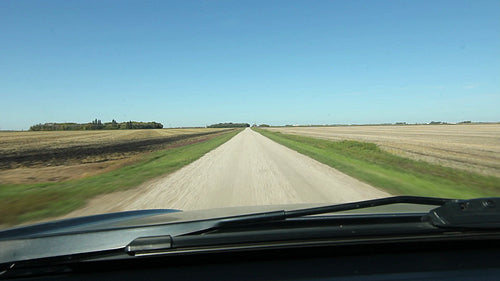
<point>247,170</point>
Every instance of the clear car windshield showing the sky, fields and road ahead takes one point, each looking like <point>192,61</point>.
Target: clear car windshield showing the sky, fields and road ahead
<point>112,106</point>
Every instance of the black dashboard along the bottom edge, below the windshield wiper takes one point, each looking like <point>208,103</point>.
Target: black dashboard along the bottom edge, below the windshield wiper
<point>450,260</point>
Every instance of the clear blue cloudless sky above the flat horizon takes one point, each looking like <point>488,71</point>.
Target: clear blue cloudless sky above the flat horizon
<point>193,63</point>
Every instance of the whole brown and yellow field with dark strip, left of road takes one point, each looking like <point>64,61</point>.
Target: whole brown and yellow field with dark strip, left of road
<point>30,157</point>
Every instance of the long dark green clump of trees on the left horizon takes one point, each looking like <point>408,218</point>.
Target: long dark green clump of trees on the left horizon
<point>96,125</point>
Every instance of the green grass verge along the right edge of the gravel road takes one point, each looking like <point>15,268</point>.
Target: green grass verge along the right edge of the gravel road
<point>394,174</point>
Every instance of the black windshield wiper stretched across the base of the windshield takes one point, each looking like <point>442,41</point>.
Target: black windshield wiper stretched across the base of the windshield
<point>450,213</point>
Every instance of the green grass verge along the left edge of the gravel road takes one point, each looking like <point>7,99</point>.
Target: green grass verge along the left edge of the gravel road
<point>25,202</point>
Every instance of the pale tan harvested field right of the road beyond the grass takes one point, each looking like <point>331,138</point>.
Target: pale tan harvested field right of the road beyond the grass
<point>472,147</point>
